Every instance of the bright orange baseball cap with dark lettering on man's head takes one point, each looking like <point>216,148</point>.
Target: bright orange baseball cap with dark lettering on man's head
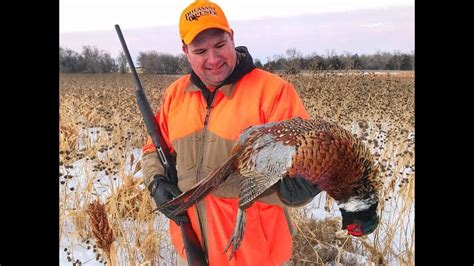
<point>199,16</point>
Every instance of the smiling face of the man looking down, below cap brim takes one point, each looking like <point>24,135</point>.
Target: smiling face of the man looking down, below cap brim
<point>212,55</point>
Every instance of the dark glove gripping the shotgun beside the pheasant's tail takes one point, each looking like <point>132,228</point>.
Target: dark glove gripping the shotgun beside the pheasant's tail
<point>163,191</point>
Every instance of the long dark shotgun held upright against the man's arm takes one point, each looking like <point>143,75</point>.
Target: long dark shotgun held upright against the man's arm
<point>194,252</point>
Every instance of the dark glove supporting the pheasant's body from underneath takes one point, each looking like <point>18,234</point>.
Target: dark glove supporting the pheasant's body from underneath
<point>296,191</point>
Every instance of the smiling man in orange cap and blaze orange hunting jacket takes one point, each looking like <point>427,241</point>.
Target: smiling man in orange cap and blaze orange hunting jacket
<point>201,116</point>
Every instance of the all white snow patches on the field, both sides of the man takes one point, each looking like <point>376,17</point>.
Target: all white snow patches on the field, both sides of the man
<point>83,175</point>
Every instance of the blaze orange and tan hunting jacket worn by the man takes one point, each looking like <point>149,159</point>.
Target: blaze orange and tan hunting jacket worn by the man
<point>258,97</point>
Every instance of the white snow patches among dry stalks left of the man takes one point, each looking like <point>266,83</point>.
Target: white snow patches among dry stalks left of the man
<point>79,175</point>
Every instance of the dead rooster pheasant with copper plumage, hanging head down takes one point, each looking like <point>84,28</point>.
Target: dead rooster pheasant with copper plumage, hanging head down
<point>323,153</point>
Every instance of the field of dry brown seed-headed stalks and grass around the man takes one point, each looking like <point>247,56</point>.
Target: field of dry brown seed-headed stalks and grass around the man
<point>100,125</point>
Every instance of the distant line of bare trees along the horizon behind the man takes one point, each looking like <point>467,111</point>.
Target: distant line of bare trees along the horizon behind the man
<point>93,60</point>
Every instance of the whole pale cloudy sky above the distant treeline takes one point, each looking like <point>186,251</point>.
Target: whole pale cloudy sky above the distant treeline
<point>267,28</point>
